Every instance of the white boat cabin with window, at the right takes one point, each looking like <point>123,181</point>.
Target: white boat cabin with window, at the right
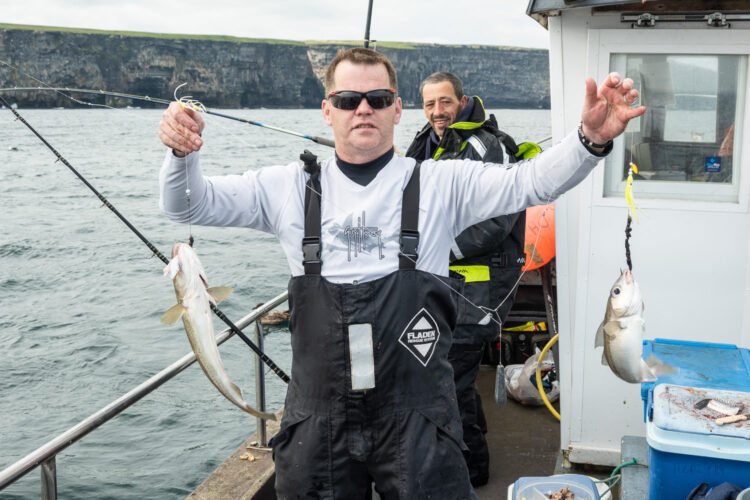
<point>690,247</point>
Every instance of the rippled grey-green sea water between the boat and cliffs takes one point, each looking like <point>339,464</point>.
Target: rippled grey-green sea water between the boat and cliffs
<point>81,295</point>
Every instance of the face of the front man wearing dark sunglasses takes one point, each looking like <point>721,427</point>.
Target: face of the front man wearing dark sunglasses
<point>364,133</point>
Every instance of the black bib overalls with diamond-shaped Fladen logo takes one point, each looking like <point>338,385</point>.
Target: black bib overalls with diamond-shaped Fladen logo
<point>371,396</point>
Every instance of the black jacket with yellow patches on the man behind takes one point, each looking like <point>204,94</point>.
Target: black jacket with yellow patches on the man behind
<point>490,254</point>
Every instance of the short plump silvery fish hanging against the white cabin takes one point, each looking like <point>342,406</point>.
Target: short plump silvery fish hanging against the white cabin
<point>621,335</point>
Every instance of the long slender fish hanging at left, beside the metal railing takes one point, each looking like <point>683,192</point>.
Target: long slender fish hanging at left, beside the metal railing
<point>194,300</point>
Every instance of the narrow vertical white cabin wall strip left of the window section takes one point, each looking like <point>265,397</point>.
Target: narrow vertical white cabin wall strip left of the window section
<point>568,71</point>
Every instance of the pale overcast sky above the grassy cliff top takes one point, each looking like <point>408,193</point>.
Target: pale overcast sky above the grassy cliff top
<point>488,22</point>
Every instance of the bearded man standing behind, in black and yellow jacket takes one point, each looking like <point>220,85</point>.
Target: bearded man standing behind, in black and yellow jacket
<point>489,255</point>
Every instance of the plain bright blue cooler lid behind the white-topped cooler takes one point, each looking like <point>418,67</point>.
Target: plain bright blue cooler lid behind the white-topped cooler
<point>719,366</point>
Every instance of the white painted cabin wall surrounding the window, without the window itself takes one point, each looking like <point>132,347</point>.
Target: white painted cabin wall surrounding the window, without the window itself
<point>691,259</point>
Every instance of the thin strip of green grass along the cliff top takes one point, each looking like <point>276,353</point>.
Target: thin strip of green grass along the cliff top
<point>234,39</point>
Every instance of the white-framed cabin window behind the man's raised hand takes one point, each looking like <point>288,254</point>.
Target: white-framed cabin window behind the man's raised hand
<point>684,146</point>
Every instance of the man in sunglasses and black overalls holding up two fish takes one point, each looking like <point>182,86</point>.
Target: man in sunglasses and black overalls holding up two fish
<point>367,234</point>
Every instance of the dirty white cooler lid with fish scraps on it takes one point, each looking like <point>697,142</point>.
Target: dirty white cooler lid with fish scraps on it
<point>701,411</point>
